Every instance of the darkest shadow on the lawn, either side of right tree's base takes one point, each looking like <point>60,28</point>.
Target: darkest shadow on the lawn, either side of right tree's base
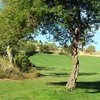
<point>82,85</point>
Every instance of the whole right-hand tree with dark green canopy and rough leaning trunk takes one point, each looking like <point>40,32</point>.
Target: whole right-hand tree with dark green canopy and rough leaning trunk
<point>71,20</point>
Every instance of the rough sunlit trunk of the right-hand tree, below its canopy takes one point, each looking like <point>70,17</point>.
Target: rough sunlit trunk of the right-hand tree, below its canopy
<point>71,84</point>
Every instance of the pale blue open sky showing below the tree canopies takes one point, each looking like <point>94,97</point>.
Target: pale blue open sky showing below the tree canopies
<point>96,39</point>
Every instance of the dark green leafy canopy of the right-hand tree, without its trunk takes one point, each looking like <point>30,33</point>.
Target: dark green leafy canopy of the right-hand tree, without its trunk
<point>64,16</point>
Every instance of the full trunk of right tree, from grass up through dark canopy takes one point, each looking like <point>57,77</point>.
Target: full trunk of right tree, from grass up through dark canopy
<point>75,61</point>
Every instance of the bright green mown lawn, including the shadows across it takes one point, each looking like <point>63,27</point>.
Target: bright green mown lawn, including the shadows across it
<point>55,70</point>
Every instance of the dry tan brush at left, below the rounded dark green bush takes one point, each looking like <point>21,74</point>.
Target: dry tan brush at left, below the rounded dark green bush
<point>12,72</point>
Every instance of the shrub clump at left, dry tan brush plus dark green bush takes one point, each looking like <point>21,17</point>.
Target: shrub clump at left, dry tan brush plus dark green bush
<point>12,72</point>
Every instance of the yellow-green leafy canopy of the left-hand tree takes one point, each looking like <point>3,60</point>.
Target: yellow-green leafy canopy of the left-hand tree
<point>16,23</point>
